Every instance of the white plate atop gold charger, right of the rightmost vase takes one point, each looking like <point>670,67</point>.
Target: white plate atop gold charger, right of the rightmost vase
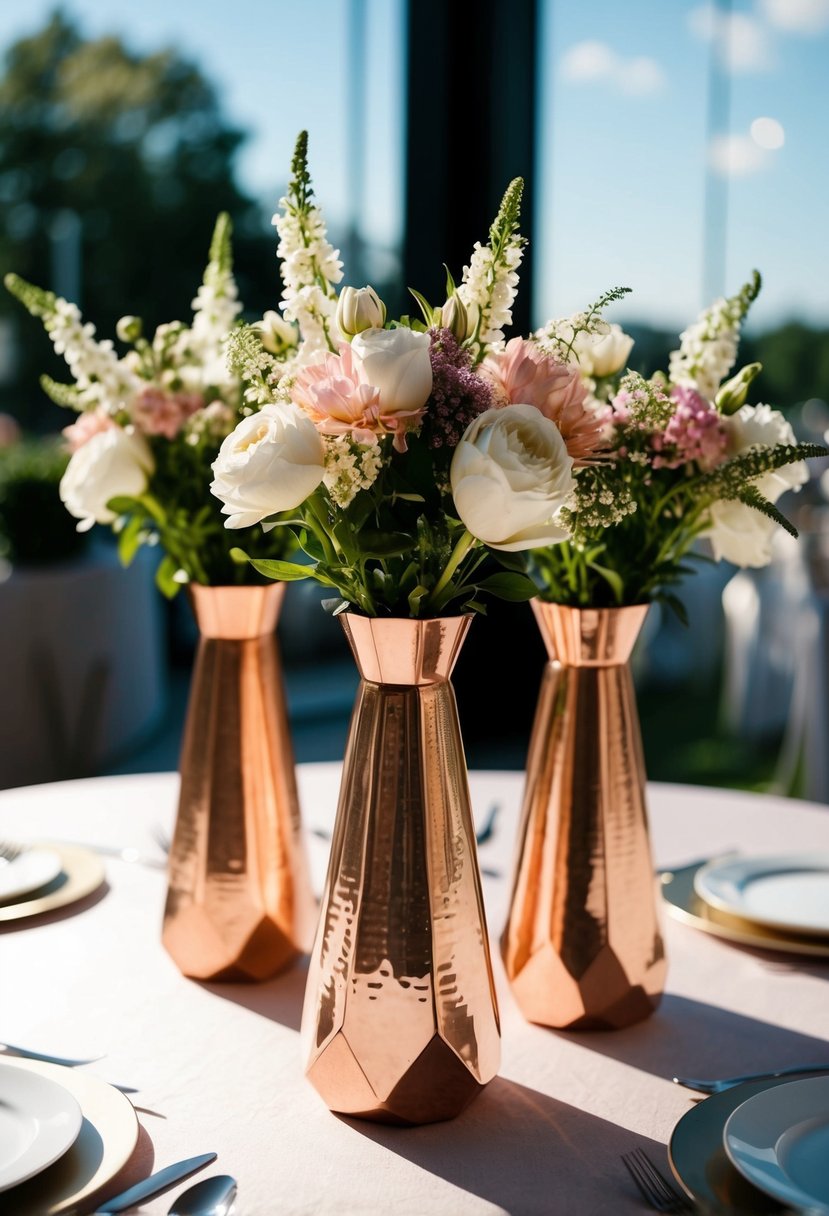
<point>788,893</point>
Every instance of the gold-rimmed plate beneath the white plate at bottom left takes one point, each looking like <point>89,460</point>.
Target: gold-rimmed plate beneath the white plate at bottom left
<point>109,1135</point>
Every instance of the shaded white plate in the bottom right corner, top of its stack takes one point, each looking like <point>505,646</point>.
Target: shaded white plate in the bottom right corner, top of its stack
<point>780,1141</point>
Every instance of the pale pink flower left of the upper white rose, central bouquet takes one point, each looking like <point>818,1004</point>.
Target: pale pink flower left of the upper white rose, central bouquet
<point>339,398</point>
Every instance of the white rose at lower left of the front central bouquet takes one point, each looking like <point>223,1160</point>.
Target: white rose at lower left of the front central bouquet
<point>272,463</point>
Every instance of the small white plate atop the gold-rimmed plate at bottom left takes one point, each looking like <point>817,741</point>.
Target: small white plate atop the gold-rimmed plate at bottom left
<point>40,1122</point>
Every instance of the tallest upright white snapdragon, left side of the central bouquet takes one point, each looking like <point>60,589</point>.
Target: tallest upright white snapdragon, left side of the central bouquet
<point>311,269</point>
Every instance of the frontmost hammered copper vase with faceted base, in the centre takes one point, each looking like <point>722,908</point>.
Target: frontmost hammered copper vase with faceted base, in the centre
<point>401,1021</point>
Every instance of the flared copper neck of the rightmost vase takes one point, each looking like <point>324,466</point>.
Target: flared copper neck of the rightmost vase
<point>589,638</point>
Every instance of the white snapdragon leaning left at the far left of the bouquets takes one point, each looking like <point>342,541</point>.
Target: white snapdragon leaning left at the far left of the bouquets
<point>103,379</point>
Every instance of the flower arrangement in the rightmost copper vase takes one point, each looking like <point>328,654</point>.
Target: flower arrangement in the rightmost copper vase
<point>685,459</point>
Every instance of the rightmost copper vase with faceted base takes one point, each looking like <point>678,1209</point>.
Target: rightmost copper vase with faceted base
<point>583,945</point>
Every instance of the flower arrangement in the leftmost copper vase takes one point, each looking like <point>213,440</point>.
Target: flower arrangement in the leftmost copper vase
<point>150,425</point>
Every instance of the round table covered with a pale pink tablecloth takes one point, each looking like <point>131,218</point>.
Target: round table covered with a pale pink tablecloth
<point>218,1065</point>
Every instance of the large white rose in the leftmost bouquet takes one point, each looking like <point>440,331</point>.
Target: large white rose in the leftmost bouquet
<point>112,464</point>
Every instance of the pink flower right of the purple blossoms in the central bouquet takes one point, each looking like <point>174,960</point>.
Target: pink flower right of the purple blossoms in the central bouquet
<point>525,375</point>
